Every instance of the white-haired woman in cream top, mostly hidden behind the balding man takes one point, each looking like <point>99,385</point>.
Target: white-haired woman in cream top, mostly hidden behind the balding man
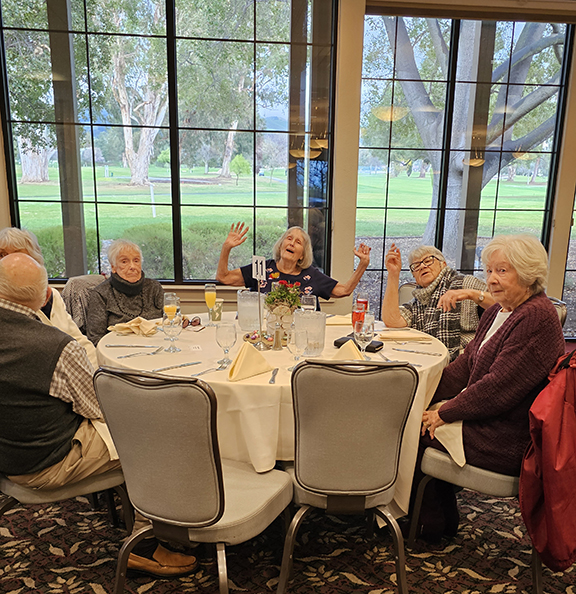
<point>53,312</point>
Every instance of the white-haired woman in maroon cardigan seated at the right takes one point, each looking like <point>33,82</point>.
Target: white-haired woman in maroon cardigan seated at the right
<point>492,385</point>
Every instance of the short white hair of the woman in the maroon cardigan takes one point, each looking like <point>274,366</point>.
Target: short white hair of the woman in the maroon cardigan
<point>526,255</point>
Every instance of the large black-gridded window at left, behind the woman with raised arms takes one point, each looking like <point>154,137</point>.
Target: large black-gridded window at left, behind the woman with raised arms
<point>163,123</point>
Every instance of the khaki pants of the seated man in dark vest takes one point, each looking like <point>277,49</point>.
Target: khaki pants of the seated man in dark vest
<point>88,456</point>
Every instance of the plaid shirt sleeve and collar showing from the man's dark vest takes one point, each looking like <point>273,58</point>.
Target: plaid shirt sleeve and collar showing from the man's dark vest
<point>72,378</point>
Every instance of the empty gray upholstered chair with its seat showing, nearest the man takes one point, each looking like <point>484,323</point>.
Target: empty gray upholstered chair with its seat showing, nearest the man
<point>164,429</point>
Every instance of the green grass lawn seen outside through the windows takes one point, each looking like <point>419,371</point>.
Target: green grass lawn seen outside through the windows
<point>205,199</point>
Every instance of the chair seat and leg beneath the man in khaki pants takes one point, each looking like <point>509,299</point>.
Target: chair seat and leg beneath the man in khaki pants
<point>113,479</point>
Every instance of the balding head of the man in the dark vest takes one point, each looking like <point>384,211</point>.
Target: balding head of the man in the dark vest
<point>23,280</point>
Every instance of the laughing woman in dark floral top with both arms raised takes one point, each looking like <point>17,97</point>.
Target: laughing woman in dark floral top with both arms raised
<point>292,262</point>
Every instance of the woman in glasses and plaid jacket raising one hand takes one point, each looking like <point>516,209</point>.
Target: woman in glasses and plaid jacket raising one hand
<point>445,303</point>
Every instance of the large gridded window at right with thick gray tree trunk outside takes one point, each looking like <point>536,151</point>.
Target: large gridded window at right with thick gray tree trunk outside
<point>458,135</point>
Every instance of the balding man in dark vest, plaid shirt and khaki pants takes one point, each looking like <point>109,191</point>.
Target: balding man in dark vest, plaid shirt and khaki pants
<point>48,407</point>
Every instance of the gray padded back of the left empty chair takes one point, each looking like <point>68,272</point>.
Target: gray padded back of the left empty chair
<point>164,429</point>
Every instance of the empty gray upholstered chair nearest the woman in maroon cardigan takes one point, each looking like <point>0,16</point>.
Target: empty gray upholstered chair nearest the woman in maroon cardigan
<point>349,418</point>
